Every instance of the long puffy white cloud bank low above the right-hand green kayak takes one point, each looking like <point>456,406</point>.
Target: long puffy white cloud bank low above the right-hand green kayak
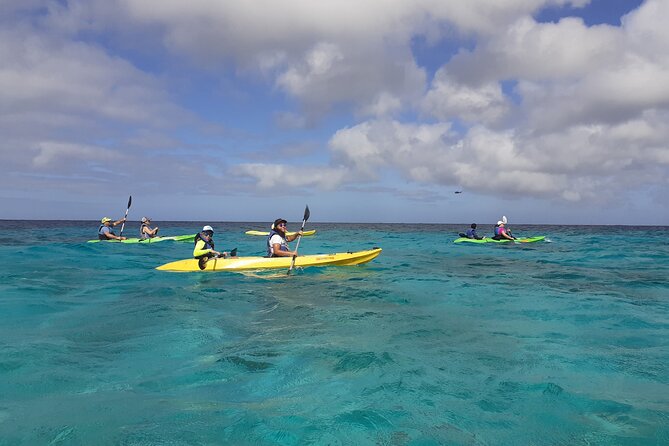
<point>585,163</point>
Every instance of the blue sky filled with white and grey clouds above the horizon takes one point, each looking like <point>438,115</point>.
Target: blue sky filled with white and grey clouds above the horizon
<point>545,111</point>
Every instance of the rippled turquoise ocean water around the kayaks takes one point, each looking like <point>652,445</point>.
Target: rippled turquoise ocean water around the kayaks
<point>563,342</point>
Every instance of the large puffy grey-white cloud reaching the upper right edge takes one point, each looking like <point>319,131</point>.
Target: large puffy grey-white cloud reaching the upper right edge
<point>569,73</point>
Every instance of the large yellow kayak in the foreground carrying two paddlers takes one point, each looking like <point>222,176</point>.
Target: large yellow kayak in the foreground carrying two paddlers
<point>255,263</point>
